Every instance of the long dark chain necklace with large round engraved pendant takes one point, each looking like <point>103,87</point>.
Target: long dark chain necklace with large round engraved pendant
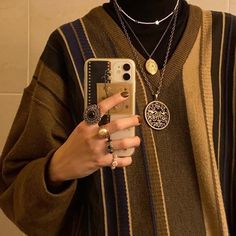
<point>156,113</point>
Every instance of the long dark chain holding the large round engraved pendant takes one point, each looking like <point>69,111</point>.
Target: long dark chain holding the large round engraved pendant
<point>155,94</point>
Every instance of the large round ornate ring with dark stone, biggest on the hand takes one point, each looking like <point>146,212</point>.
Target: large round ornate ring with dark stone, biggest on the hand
<point>92,114</point>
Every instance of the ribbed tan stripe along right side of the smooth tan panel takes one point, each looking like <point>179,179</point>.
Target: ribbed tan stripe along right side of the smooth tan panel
<point>208,108</point>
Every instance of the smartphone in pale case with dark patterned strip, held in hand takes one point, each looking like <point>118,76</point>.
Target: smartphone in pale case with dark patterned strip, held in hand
<point>105,77</point>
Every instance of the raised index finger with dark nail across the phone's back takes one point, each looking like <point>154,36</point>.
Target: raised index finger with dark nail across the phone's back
<point>108,103</point>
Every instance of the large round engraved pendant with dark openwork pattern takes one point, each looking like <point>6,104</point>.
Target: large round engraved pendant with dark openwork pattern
<point>157,115</point>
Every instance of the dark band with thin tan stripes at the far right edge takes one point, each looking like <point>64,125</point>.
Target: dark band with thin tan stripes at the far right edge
<point>224,109</point>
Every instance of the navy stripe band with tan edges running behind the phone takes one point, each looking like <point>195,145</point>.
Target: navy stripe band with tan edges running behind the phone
<point>80,50</point>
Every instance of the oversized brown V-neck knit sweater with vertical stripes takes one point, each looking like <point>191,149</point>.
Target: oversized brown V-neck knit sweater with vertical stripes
<point>173,186</point>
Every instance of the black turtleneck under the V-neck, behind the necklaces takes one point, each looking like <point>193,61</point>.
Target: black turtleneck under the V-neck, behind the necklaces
<point>149,35</point>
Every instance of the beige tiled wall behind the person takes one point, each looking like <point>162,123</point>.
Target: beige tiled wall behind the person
<point>25,26</point>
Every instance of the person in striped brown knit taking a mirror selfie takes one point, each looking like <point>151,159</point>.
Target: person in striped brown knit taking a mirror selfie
<point>55,169</point>
